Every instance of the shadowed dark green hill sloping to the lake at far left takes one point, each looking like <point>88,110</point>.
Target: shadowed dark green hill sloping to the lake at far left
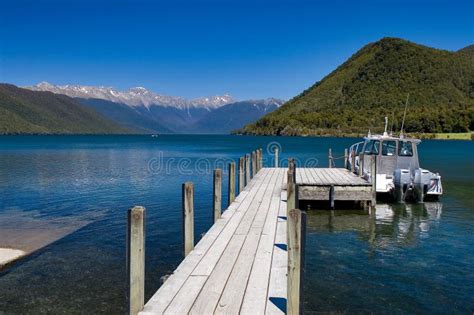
<point>30,112</point>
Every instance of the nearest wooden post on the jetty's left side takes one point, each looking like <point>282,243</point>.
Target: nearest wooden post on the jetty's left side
<point>136,259</point>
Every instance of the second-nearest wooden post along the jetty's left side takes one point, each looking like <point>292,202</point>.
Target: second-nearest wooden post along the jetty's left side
<point>188,217</point>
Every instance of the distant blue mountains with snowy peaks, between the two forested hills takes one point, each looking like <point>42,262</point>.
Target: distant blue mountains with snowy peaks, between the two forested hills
<point>145,111</point>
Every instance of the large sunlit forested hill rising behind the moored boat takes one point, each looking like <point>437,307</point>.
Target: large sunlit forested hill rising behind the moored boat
<point>374,83</point>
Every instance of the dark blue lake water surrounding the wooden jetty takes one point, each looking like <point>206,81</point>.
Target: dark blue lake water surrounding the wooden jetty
<point>403,259</point>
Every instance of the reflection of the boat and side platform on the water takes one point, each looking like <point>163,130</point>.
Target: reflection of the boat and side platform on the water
<point>384,226</point>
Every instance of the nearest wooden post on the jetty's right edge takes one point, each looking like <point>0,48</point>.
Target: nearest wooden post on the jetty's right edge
<point>296,225</point>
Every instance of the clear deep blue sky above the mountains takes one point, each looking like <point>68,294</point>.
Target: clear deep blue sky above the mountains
<point>250,49</point>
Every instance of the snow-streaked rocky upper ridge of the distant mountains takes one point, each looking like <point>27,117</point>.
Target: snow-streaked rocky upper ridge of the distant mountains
<point>136,97</point>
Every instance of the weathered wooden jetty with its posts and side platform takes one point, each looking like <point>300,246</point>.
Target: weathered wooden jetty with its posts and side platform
<point>252,259</point>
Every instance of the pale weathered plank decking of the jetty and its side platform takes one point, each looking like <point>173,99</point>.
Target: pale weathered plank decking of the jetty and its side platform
<point>240,264</point>
